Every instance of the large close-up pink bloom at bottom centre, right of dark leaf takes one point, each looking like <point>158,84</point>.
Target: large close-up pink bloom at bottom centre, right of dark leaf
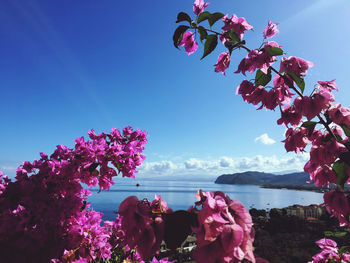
<point>225,230</point>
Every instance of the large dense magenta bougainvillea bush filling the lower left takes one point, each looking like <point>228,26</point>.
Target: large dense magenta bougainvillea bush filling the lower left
<point>44,213</point>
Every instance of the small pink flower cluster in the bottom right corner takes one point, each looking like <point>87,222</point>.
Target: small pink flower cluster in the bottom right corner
<point>329,253</point>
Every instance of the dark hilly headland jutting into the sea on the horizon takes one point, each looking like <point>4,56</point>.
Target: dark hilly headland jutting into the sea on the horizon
<point>296,181</point>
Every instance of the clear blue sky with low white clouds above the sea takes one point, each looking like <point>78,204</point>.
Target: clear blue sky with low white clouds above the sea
<point>69,66</point>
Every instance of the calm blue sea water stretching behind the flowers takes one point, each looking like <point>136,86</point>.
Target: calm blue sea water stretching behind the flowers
<point>181,195</point>
